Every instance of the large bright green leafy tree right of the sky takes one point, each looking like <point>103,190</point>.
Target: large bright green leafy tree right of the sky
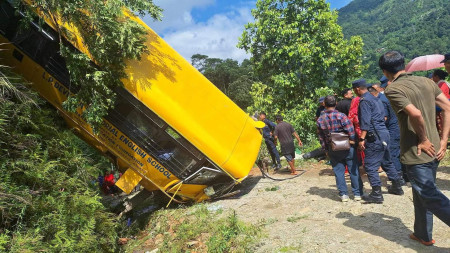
<point>297,46</point>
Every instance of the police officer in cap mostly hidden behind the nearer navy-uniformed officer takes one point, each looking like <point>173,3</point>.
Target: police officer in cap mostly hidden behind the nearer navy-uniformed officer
<point>392,126</point>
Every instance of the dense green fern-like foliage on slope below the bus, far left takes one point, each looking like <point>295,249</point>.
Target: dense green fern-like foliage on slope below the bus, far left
<point>46,200</point>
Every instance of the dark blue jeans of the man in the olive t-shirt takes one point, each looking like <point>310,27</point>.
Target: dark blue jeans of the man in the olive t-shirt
<point>427,199</point>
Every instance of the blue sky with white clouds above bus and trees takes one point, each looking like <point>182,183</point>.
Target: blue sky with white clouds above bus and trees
<point>209,27</point>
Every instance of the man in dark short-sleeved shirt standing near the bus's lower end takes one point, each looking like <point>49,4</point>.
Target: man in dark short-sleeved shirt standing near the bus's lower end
<point>284,132</point>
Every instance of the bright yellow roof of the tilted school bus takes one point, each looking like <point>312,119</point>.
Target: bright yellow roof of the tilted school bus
<point>169,85</point>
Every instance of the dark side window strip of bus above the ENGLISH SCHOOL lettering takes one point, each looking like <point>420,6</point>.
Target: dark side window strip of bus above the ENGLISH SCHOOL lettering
<point>141,125</point>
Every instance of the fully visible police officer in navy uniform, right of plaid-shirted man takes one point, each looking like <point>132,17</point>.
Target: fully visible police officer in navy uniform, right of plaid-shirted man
<point>374,140</point>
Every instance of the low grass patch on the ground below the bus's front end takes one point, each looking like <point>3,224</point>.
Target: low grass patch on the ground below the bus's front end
<point>195,229</point>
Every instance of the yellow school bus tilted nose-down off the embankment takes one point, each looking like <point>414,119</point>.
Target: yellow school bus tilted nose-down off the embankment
<point>170,130</point>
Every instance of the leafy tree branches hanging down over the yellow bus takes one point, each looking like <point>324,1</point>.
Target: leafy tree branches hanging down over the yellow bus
<point>111,37</point>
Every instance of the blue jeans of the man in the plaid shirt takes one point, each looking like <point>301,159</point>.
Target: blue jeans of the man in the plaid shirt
<point>338,161</point>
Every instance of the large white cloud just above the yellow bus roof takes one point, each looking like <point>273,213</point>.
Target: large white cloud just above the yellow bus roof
<point>217,37</point>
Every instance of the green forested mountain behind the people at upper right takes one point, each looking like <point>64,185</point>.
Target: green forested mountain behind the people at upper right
<point>414,27</point>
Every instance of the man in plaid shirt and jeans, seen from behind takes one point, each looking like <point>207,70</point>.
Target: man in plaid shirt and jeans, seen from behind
<point>331,120</point>
